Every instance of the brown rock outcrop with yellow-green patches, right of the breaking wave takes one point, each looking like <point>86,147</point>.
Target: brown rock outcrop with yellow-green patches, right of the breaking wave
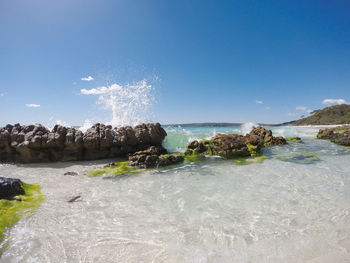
<point>234,145</point>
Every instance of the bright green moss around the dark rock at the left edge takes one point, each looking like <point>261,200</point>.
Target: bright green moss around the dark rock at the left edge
<point>11,211</point>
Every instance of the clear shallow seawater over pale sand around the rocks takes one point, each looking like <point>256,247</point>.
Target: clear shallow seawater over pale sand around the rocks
<point>213,211</point>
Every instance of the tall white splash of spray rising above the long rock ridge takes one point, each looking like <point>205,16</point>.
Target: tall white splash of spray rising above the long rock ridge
<point>129,104</point>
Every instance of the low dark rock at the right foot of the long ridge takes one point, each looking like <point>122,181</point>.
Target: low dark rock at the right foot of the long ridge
<point>154,157</point>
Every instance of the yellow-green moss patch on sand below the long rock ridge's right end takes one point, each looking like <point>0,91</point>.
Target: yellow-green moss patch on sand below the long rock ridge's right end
<point>119,168</point>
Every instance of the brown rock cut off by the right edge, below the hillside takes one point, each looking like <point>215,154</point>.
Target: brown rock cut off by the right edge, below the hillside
<point>339,135</point>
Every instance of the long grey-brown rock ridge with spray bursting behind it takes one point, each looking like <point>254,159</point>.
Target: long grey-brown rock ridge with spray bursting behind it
<point>35,143</point>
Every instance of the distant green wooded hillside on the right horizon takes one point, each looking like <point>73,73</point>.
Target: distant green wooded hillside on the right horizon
<point>339,114</point>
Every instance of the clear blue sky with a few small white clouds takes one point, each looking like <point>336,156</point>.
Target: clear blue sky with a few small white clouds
<point>233,61</point>
